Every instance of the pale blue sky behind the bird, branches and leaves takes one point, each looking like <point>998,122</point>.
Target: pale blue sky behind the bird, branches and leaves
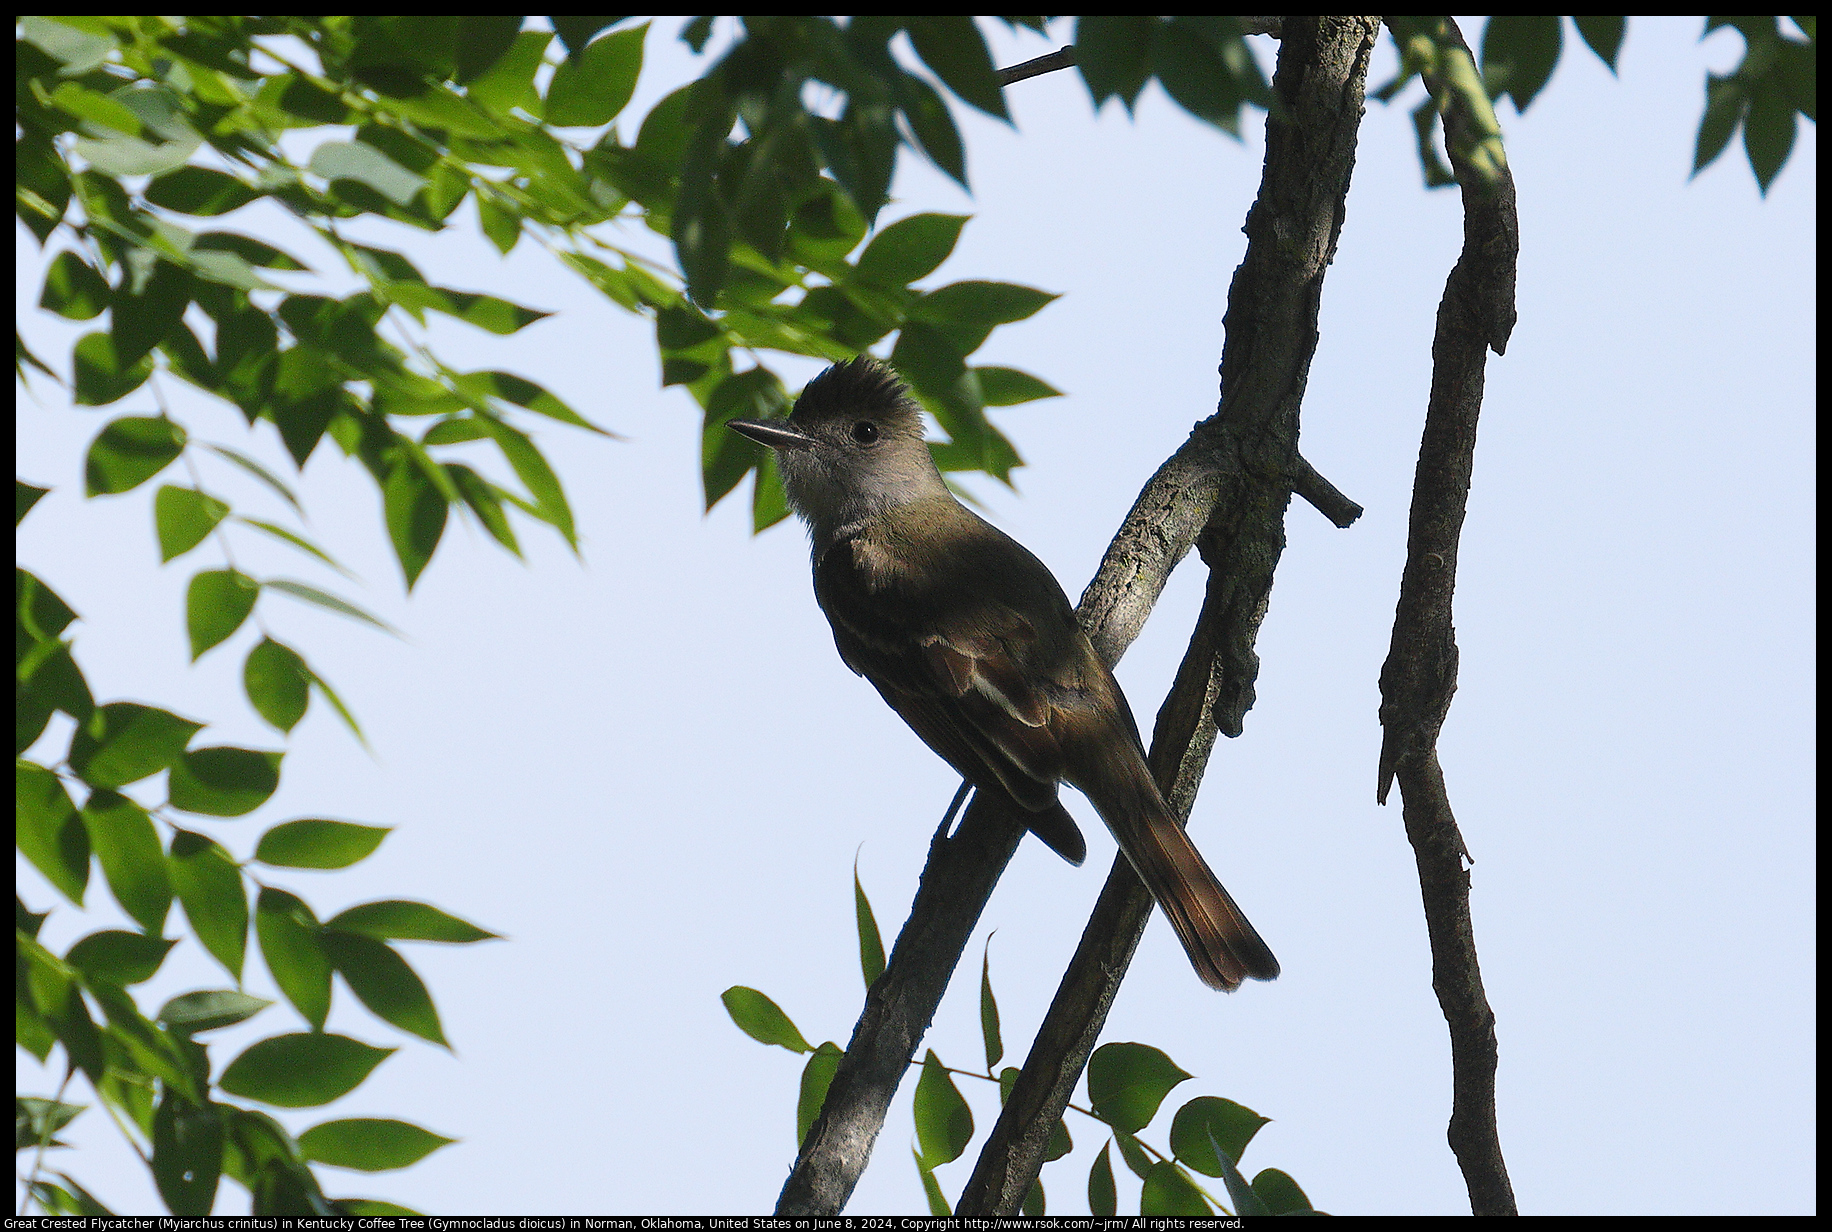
<point>653,775</point>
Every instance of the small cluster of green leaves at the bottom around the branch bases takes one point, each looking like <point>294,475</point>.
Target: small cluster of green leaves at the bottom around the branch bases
<point>1128,1086</point>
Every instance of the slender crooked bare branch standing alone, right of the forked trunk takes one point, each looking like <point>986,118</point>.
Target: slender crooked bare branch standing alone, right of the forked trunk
<point>1421,674</point>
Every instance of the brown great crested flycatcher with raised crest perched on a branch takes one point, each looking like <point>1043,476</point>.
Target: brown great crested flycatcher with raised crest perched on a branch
<point>972,641</point>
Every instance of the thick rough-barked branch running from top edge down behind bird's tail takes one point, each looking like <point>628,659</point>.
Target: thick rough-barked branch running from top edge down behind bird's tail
<point>1249,457</point>
